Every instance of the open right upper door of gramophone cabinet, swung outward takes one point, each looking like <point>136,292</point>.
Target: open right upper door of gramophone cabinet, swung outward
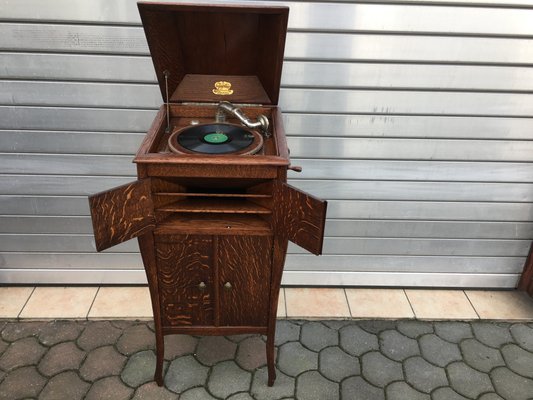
<point>299,216</point>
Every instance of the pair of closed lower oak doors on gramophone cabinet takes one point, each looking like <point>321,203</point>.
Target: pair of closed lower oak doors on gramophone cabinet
<point>214,280</point>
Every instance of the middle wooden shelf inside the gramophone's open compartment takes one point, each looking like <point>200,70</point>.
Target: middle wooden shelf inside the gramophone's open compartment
<point>215,205</point>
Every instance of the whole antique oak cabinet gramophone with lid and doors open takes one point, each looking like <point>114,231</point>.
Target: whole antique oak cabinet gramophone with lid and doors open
<point>211,208</point>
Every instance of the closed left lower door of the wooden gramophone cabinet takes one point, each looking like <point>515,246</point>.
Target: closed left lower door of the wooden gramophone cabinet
<point>185,279</point>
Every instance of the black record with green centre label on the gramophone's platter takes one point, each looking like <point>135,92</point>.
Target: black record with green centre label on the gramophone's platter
<point>215,139</point>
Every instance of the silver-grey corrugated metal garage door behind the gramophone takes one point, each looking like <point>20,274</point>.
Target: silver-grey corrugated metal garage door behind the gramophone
<point>414,119</point>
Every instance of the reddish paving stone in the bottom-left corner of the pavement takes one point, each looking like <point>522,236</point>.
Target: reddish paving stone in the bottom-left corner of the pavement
<point>21,384</point>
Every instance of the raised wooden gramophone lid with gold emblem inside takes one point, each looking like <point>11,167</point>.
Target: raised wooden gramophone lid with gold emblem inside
<point>216,52</point>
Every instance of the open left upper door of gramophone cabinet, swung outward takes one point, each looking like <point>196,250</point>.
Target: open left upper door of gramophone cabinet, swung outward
<point>122,213</point>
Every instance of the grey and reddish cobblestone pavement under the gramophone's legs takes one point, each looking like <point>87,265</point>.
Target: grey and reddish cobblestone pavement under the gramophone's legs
<point>319,360</point>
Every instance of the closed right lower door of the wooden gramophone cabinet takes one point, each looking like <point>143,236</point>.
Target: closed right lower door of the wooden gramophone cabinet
<point>244,279</point>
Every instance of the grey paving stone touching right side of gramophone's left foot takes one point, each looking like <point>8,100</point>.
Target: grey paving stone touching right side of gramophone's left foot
<point>185,373</point>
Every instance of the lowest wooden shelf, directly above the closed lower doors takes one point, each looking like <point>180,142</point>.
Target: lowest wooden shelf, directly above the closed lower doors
<point>213,224</point>
